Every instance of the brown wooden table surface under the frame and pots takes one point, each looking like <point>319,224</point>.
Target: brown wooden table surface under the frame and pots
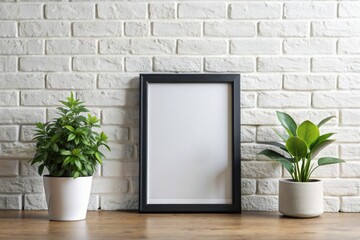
<point>132,225</point>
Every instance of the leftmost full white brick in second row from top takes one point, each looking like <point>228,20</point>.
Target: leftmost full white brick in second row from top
<point>44,29</point>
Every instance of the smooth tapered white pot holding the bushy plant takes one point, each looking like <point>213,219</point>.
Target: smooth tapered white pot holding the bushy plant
<point>67,198</point>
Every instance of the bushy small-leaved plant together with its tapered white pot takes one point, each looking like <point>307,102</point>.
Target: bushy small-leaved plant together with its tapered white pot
<point>69,149</point>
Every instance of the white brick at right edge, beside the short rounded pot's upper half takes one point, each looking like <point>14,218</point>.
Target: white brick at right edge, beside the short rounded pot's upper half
<point>341,187</point>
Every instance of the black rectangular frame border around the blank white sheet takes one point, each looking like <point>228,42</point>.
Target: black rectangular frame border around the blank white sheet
<point>145,81</point>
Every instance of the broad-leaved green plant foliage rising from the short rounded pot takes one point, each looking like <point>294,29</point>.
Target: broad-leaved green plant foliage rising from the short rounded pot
<point>302,144</point>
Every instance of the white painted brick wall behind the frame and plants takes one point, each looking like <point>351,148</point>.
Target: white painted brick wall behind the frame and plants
<point>299,56</point>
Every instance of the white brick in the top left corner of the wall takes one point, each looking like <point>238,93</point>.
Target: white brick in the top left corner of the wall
<point>20,11</point>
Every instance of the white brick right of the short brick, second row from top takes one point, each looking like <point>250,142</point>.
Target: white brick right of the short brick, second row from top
<point>176,29</point>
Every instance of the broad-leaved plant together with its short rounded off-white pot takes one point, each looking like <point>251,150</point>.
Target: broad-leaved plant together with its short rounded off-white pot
<point>301,196</point>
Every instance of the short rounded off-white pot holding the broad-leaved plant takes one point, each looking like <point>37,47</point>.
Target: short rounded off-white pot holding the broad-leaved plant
<point>301,199</point>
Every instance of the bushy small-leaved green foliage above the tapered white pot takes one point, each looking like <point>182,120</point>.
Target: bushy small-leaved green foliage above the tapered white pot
<point>68,146</point>
